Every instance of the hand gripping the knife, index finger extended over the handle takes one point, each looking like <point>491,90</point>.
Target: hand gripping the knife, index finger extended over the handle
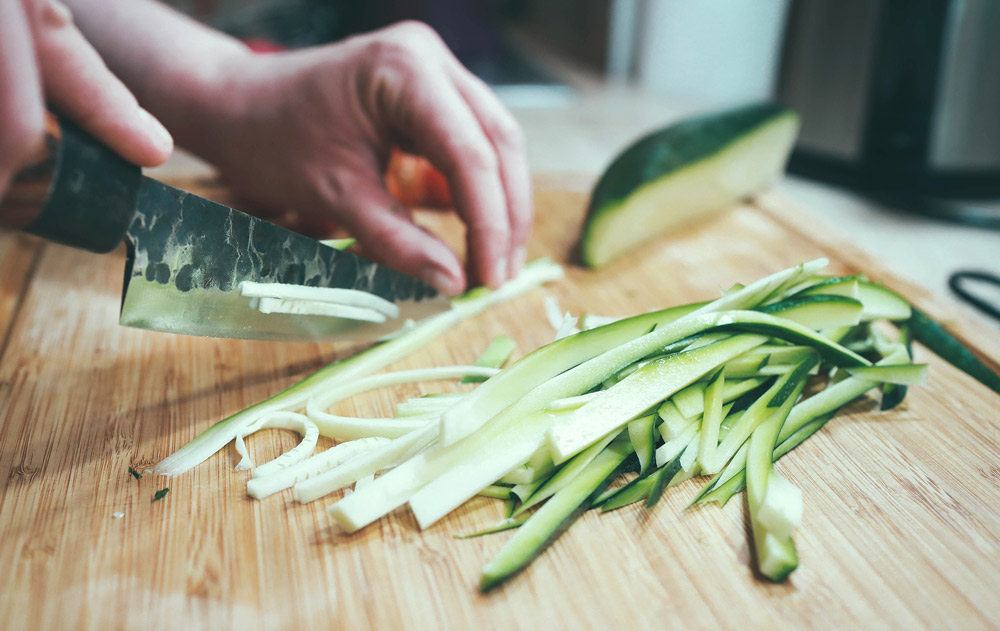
<point>46,60</point>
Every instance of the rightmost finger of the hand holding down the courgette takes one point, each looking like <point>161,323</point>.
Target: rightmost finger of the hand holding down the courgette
<point>505,135</point>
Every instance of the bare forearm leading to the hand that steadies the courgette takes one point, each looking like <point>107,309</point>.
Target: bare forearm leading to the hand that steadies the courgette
<point>176,67</point>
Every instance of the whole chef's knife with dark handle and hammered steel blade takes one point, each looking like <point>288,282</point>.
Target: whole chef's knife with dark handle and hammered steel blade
<point>186,255</point>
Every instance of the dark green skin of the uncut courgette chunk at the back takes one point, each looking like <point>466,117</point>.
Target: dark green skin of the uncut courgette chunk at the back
<point>666,151</point>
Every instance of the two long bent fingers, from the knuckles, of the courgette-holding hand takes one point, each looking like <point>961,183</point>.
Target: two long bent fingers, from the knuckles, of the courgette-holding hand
<point>465,132</point>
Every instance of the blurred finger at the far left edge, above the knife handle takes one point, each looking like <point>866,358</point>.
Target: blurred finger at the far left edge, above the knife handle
<point>21,102</point>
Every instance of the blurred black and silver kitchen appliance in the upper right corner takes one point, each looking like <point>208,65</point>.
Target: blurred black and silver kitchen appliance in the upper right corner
<point>899,99</point>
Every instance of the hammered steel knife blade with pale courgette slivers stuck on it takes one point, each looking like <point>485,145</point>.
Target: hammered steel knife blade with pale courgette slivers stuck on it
<point>187,256</point>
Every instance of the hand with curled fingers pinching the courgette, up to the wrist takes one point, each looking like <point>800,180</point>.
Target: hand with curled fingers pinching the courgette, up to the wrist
<point>312,130</point>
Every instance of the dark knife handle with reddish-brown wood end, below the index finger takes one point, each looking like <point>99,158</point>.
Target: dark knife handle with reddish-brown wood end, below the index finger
<point>74,191</point>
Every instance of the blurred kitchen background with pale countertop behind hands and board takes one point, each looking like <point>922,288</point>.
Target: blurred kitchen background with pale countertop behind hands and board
<point>899,99</point>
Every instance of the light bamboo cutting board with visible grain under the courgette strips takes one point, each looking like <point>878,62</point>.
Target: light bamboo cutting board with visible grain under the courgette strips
<point>902,508</point>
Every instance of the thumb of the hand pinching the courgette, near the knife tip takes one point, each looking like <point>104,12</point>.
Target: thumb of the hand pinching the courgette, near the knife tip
<point>388,234</point>
